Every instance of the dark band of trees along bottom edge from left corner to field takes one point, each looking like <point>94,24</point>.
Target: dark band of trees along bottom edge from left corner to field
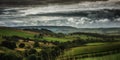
<point>47,53</point>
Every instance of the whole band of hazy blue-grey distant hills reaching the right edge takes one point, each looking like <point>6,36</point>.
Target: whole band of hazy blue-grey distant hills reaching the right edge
<point>69,29</point>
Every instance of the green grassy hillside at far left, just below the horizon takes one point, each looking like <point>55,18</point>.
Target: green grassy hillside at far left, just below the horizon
<point>13,32</point>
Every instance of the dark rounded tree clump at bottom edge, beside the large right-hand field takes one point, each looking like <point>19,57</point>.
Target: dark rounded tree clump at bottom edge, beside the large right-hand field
<point>49,53</point>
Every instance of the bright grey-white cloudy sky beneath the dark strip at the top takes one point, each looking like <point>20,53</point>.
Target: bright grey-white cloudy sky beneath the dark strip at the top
<point>86,14</point>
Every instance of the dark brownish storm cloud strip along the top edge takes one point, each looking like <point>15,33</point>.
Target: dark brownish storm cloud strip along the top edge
<point>41,2</point>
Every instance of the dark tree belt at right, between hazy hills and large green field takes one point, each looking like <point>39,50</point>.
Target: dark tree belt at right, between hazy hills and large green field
<point>98,37</point>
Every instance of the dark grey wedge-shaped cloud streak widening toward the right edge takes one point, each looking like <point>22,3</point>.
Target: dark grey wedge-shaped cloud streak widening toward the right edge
<point>98,14</point>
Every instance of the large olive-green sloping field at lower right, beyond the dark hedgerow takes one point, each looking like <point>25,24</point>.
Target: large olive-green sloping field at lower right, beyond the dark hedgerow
<point>90,49</point>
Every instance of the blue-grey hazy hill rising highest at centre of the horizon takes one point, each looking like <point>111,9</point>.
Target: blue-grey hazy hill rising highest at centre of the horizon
<point>63,29</point>
